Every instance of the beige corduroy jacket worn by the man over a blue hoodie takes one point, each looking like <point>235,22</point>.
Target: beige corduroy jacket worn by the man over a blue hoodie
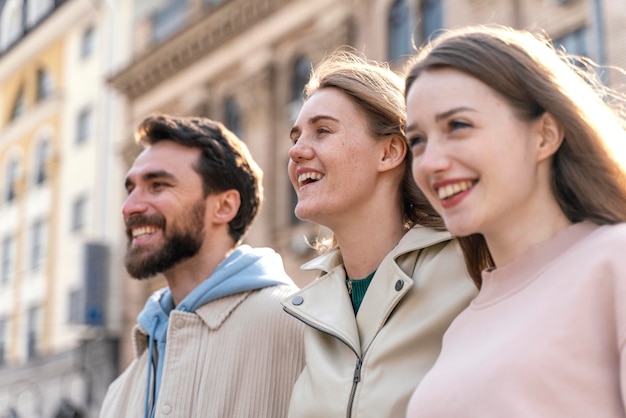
<point>237,356</point>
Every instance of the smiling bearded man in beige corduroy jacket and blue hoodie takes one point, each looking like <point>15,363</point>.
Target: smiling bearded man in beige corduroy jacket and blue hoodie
<point>215,341</point>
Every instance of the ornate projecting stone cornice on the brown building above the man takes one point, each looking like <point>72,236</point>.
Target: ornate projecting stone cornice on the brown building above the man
<point>190,45</point>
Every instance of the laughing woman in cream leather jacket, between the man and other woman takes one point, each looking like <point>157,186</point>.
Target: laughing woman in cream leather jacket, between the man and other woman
<point>394,278</point>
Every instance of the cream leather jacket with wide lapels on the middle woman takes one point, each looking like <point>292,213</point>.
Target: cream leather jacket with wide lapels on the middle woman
<point>368,366</point>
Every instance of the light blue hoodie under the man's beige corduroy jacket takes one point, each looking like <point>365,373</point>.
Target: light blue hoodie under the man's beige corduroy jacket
<point>245,269</point>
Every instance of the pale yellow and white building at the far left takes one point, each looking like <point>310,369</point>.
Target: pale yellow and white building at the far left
<point>58,236</point>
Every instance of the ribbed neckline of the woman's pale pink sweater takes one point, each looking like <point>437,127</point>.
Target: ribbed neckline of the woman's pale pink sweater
<point>500,283</point>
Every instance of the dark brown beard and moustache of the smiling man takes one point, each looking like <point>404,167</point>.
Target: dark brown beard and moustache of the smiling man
<point>182,243</point>
